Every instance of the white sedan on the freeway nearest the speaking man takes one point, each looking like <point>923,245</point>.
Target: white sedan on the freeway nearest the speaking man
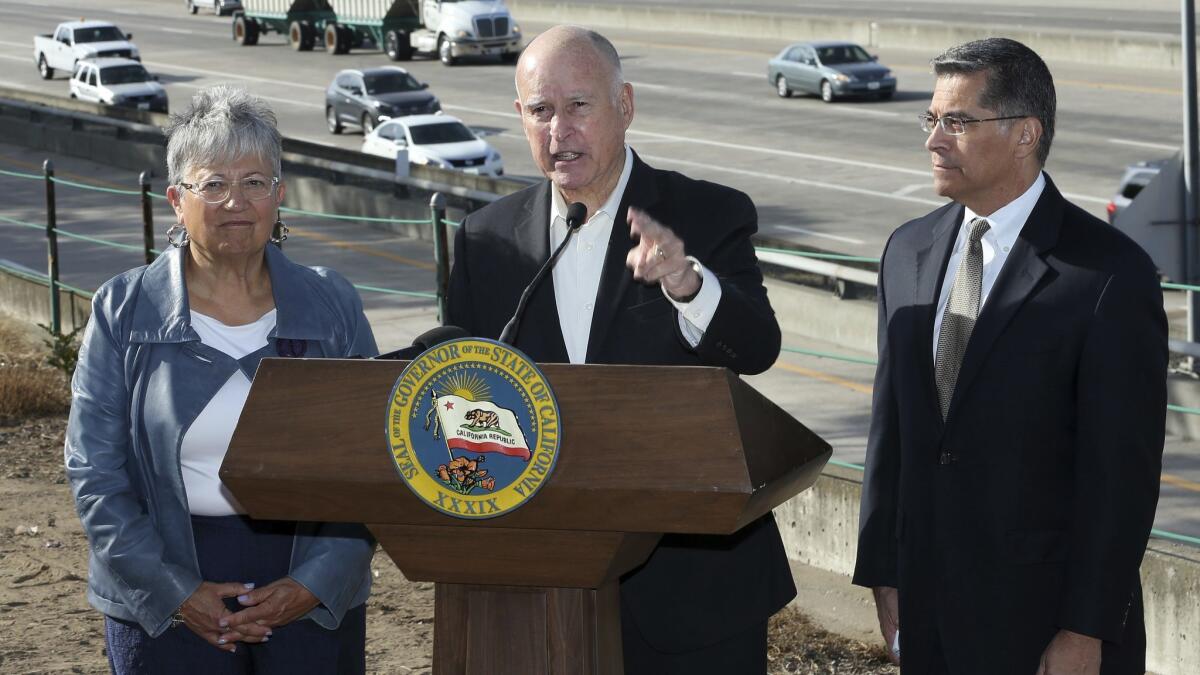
<point>440,141</point>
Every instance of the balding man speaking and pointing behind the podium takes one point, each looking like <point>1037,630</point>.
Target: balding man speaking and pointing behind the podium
<point>662,273</point>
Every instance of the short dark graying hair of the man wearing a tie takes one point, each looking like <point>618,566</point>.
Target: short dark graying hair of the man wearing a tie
<point>1019,83</point>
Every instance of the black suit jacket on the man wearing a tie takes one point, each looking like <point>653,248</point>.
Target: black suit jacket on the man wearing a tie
<point>1027,511</point>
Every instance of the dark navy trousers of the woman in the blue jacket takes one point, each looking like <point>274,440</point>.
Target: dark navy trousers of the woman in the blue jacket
<point>241,549</point>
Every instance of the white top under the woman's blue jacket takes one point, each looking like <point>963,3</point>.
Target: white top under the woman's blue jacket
<point>207,440</point>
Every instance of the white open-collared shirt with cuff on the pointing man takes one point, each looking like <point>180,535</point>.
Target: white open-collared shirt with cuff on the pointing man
<point>578,273</point>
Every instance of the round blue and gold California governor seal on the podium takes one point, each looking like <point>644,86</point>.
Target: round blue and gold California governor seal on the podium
<point>473,428</point>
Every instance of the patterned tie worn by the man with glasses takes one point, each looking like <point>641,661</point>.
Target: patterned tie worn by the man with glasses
<point>962,313</point>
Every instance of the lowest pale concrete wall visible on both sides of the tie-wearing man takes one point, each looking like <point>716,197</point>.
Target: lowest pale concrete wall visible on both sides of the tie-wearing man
<point>820,529</point>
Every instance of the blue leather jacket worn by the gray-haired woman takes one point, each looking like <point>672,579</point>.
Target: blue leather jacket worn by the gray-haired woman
<point>142,379</point>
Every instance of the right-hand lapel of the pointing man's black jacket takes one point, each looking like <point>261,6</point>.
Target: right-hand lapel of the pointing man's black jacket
<point>616,279</point>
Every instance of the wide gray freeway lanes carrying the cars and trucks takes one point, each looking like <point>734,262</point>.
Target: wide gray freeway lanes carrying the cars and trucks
<point>836,177</point>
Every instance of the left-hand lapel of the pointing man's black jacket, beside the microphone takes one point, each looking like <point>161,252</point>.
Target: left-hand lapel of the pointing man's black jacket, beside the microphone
<point>541,333</point>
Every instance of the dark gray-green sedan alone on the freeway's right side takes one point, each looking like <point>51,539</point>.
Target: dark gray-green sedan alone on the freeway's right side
<point>832,70</point>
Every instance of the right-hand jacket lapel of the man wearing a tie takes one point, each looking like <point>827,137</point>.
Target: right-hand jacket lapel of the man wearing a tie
<point>1021,276</point>
